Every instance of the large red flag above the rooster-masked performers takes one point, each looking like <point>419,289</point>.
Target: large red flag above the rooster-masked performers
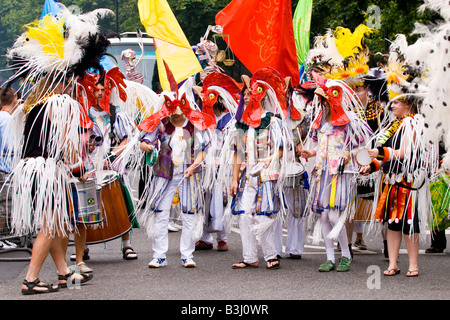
<point>261,34</point>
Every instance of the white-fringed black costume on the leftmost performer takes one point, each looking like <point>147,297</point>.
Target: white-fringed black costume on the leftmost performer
<point>39,181</point>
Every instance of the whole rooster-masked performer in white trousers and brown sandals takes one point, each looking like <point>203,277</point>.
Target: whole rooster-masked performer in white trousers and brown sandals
<point>261,142</point>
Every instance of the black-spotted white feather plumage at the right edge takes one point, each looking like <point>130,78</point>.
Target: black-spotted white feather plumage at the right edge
<point>431,53</point>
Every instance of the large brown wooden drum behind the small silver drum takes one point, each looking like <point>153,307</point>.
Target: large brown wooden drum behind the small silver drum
<point>114,210</point>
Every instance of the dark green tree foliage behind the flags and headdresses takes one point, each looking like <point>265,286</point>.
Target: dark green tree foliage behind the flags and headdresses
<point>194,16</point>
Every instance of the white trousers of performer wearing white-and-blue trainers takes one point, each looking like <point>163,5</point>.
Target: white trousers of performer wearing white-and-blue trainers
<point>161,238</point>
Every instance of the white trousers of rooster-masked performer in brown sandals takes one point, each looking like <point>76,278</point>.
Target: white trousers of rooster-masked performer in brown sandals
<point>248,221</point>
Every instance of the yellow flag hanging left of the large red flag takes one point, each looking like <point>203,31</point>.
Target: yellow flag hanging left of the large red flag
<point>170,41</point>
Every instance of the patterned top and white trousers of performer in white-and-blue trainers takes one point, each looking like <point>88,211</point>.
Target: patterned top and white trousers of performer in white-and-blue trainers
<point>168,176</point>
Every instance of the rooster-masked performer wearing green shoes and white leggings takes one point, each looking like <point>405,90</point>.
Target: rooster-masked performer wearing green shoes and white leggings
<point>338,132</point>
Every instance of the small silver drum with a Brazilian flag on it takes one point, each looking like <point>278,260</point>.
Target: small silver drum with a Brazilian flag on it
<point>86,202</point>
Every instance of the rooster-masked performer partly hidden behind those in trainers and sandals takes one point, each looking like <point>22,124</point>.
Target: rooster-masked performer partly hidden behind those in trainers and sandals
<point>220,94</point>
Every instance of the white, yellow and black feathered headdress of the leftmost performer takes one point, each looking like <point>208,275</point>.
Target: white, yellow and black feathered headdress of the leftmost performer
<point>65,45</point>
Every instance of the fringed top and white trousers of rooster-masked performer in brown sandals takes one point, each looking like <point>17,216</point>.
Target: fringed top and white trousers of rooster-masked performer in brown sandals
<point>258,200</point>
